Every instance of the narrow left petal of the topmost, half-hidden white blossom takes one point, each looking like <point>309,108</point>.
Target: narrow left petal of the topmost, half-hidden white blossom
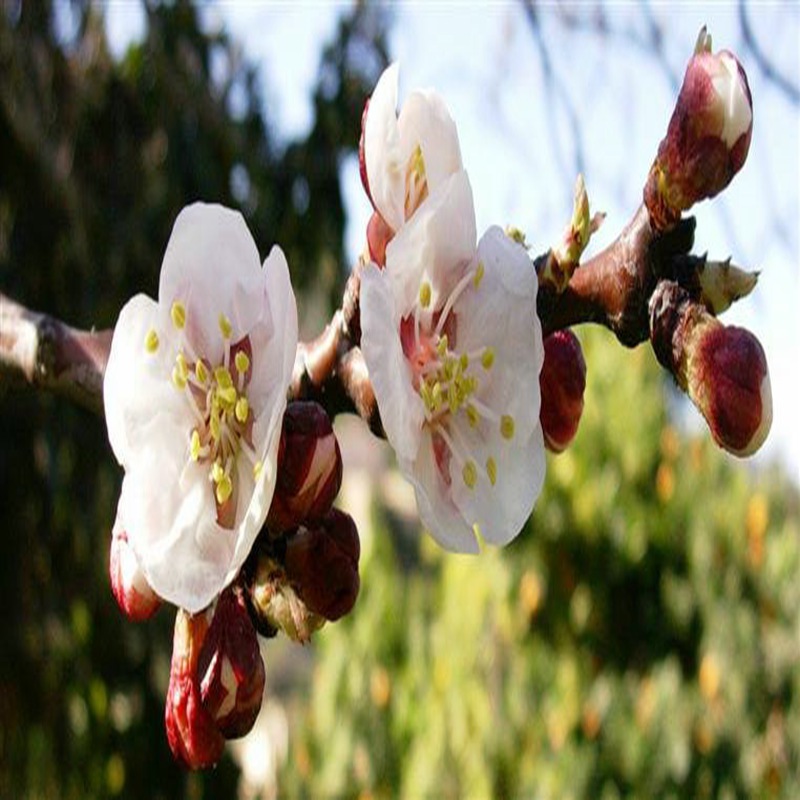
<point>385,172</point>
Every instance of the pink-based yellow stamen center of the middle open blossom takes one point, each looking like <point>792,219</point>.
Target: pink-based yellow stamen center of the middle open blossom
<point>448,380</point>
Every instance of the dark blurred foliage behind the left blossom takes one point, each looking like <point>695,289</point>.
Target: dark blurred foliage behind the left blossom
<point>96,160</point>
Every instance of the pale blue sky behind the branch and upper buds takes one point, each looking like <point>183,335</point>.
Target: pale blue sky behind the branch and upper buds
<point>518,145</point>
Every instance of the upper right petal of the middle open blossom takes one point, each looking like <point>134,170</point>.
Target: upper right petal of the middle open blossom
<point>501,313</point>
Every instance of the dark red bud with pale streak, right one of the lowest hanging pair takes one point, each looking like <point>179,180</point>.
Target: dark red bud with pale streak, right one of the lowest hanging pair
<point>230,668</point>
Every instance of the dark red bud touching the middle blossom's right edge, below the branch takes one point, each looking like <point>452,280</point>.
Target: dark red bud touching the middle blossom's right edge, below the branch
<point>562,381</point>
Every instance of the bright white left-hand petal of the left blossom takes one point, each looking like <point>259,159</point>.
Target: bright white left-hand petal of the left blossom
<point>137,388</point>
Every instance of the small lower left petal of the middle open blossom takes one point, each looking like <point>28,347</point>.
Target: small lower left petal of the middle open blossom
<point>439,515</point>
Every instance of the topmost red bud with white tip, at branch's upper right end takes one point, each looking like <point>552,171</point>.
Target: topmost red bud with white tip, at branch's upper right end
<point>707,139</point>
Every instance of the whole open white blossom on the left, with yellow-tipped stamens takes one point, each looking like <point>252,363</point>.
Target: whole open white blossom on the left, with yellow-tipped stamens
<point>195,391</point>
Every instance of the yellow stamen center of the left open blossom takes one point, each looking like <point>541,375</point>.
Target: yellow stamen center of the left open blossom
<point>217,398</point>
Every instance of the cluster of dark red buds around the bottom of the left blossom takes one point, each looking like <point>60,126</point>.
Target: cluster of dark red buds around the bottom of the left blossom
<point>303,570</point>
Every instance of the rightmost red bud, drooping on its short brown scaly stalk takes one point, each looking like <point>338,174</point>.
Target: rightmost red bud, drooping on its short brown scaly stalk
<point>722,368</point>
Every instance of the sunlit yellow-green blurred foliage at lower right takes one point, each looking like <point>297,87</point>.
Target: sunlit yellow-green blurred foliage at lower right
<point>640,639</point>
